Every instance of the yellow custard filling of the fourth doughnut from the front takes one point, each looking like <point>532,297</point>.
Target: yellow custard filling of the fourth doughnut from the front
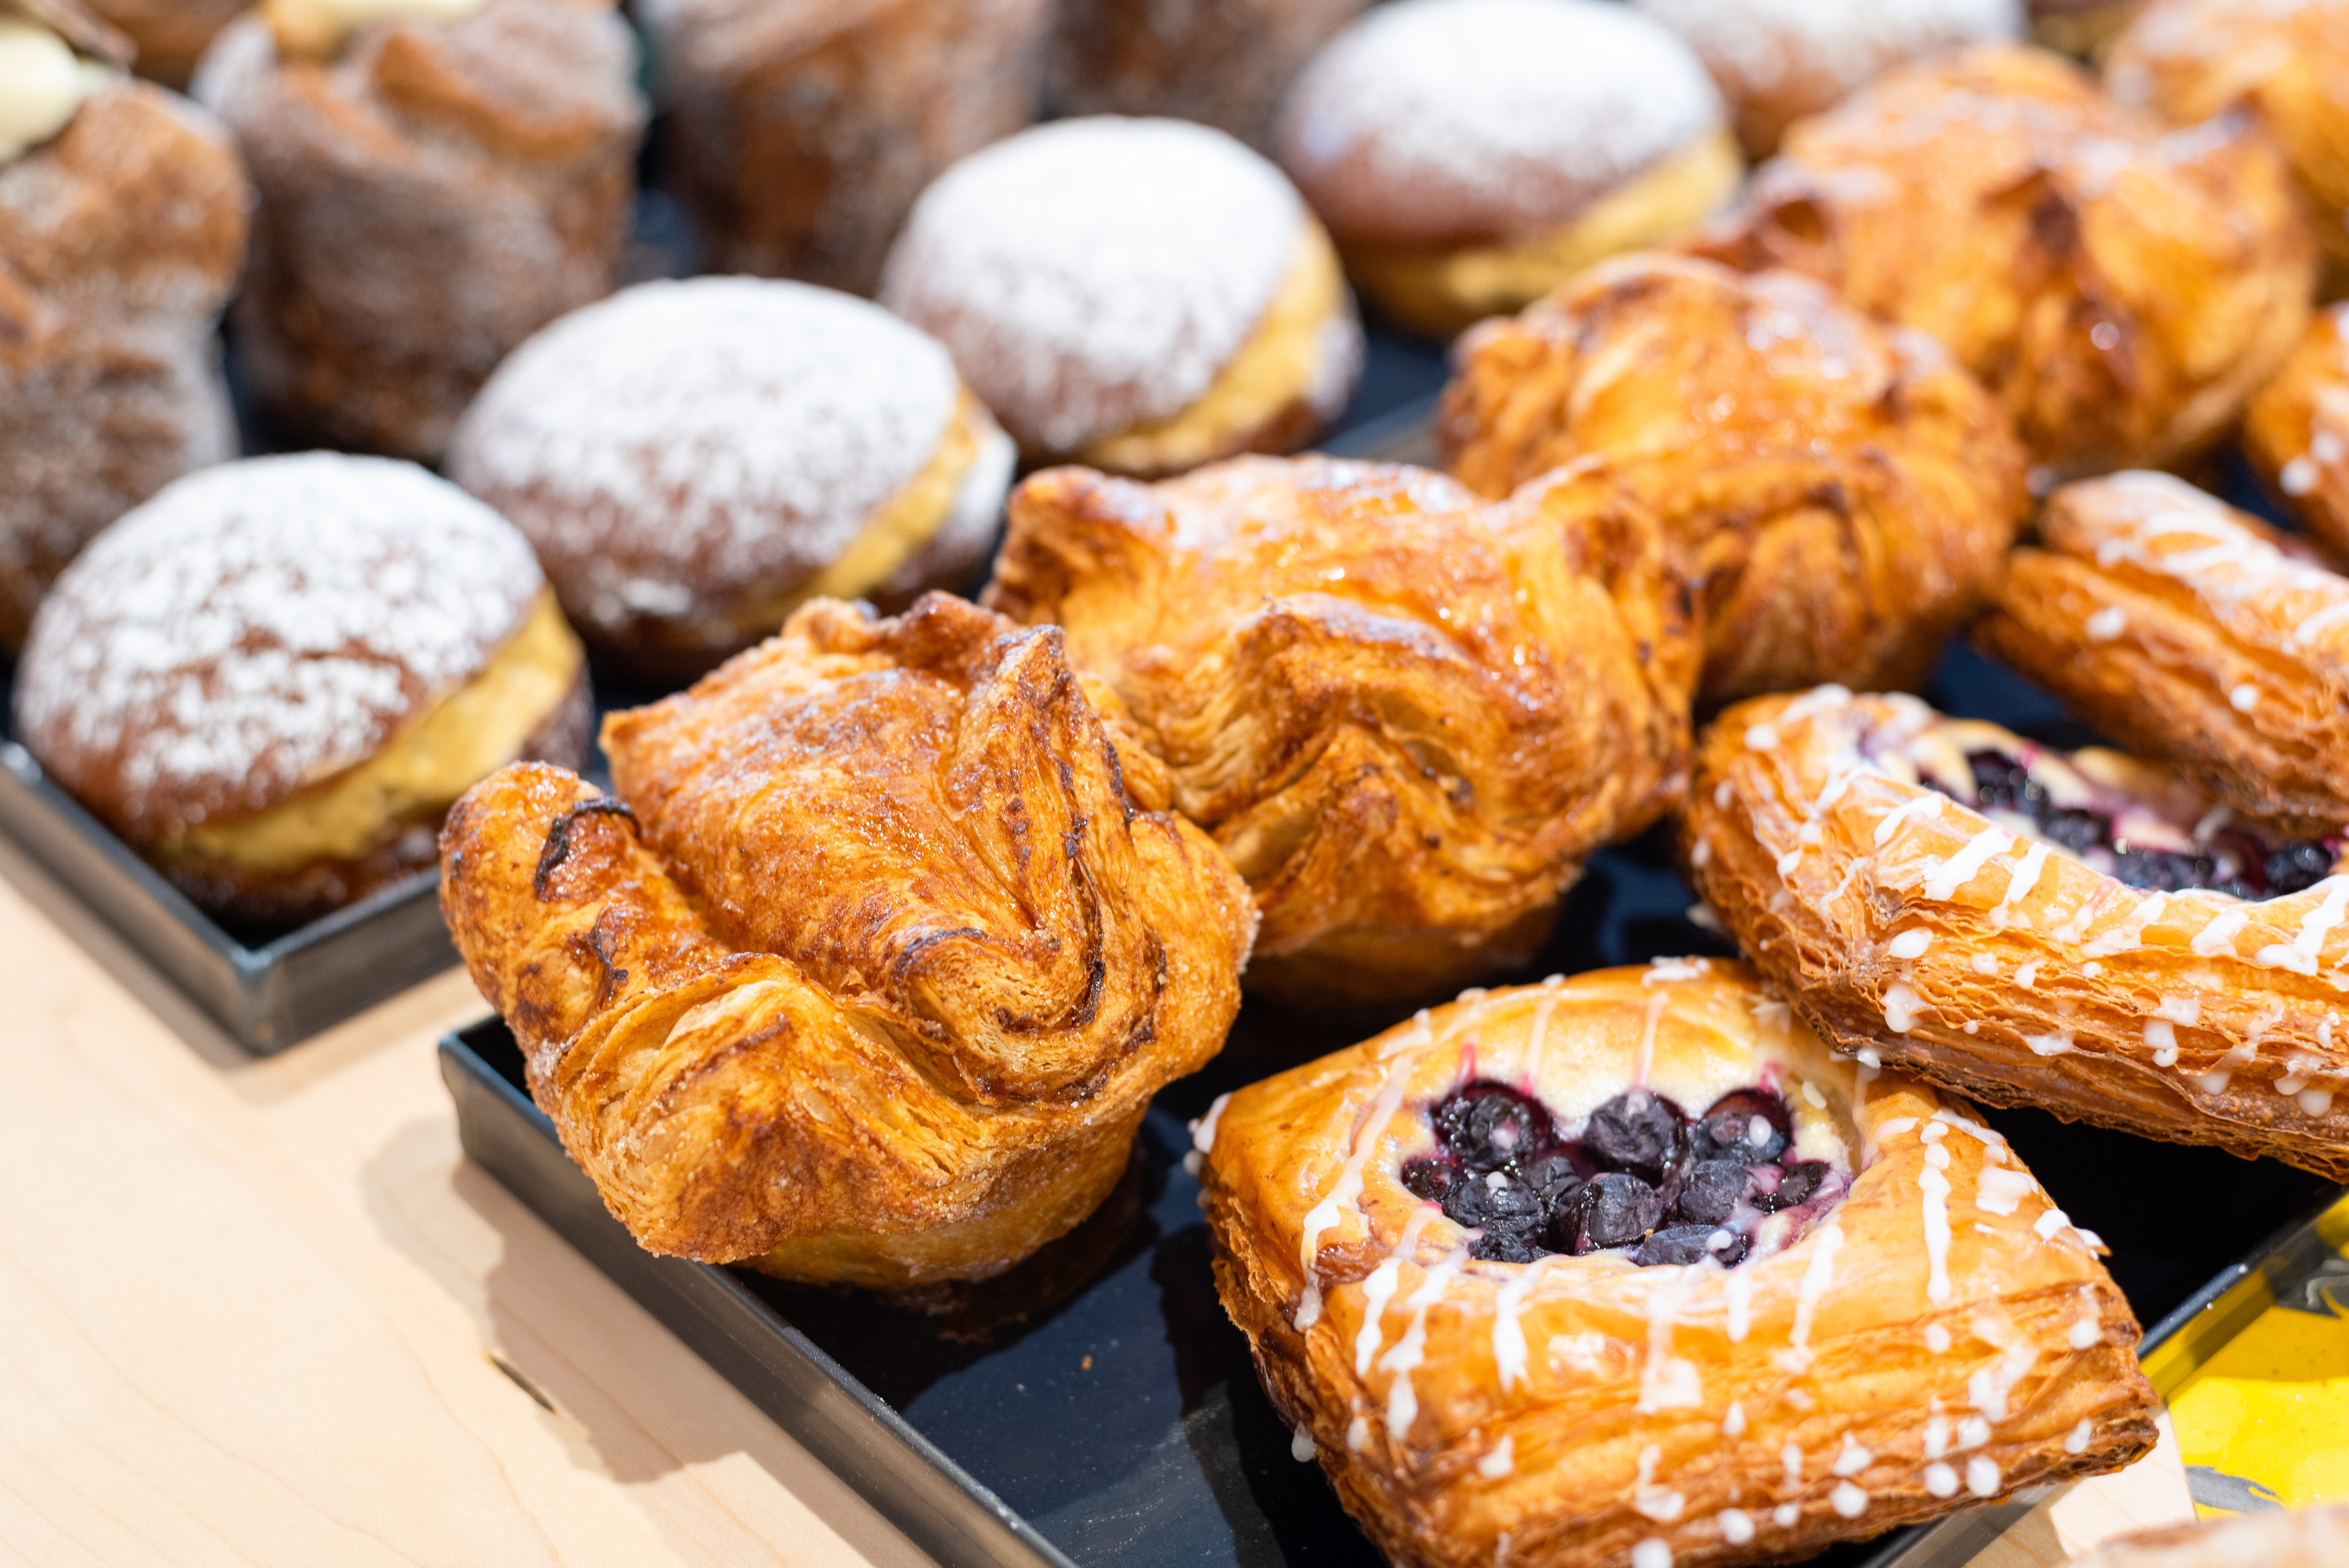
<point>1443,290</point>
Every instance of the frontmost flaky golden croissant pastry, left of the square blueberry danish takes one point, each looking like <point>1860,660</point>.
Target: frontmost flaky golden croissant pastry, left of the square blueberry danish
<point>873,961</point>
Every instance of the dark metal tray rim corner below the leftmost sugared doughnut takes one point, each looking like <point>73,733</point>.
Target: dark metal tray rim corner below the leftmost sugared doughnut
<point>269,996</point>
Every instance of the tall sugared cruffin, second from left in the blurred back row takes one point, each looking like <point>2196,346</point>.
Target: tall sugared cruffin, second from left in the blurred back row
<point>438,182</point>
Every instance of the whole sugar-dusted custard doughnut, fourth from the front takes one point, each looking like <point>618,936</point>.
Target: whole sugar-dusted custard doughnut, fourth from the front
<point>1469,156</point>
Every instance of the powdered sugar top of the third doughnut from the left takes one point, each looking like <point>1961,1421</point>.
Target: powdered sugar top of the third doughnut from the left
<point>1096,273</point>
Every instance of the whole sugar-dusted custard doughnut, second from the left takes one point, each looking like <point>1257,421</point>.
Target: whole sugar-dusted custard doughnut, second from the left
<point>696,459</point>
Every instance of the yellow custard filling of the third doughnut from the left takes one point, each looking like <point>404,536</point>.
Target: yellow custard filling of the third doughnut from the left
<point>1279,363</point>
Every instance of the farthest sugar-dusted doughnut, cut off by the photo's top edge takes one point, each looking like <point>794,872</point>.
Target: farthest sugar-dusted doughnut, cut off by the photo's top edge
<point>1786,60</point>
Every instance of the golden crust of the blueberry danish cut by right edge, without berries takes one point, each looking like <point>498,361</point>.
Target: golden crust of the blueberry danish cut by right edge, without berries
<point>1824,926</point>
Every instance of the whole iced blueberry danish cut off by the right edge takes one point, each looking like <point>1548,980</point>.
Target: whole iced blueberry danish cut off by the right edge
<point>2078,933</point>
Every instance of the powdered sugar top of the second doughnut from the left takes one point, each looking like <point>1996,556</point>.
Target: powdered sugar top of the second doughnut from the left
<point>704,438</point>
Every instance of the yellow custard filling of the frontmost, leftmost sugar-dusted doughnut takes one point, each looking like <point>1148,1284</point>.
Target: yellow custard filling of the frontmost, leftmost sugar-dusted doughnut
<point>457,743</point>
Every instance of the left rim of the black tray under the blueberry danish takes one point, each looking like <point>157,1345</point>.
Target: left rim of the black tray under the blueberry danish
<point>884,1459</point>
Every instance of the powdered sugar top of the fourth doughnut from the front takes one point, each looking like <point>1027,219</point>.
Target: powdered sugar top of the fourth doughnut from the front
<point>1446,119</point>
